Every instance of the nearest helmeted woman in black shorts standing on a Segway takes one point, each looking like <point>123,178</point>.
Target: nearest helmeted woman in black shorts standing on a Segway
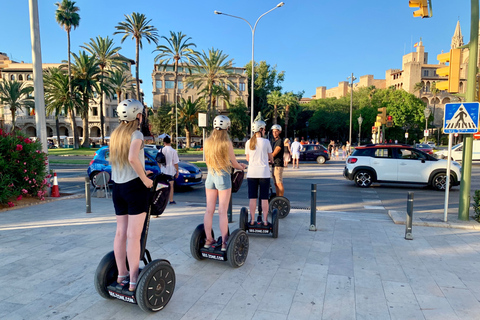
<point>130,190</point>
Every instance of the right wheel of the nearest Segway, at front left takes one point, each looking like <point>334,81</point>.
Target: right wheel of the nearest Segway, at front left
<point>155,286</point>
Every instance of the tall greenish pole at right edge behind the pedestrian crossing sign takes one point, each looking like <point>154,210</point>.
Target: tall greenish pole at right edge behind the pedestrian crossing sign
<point>465,184</point>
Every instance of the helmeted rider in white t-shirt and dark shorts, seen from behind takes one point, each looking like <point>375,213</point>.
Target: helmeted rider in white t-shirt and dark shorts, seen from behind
<point>259,154</point>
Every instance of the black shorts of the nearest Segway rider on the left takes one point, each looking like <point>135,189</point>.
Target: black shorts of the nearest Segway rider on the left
<point>130,197</point>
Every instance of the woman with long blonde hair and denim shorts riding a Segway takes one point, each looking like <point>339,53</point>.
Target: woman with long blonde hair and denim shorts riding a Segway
<point>220,158</point>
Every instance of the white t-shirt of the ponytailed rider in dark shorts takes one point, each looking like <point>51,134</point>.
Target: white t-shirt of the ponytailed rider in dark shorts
<point>258,159</point>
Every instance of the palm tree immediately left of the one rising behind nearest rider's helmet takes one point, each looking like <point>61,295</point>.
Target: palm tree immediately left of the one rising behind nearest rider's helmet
<point>107,56</point>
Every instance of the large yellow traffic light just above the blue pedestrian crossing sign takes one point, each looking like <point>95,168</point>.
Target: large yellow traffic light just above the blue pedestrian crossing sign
<point>452,71</point>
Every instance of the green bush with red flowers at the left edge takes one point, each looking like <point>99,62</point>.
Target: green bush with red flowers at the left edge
<point>22,168</point>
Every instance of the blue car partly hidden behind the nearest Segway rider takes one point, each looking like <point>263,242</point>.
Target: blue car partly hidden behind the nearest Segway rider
<point>189,174</point>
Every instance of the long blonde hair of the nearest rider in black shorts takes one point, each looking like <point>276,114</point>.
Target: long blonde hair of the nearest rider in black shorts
<point>120,143</point>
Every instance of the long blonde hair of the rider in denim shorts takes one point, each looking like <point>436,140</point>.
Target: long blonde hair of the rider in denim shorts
<point>216,151</point>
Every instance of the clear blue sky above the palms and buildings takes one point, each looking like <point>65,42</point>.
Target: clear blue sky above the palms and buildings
<point>317,43</point>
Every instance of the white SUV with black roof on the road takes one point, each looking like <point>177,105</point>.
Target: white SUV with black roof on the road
<point>400,164</point>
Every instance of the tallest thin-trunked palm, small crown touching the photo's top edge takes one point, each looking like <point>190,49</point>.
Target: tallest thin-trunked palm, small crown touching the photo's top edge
<point>67,17</point>
